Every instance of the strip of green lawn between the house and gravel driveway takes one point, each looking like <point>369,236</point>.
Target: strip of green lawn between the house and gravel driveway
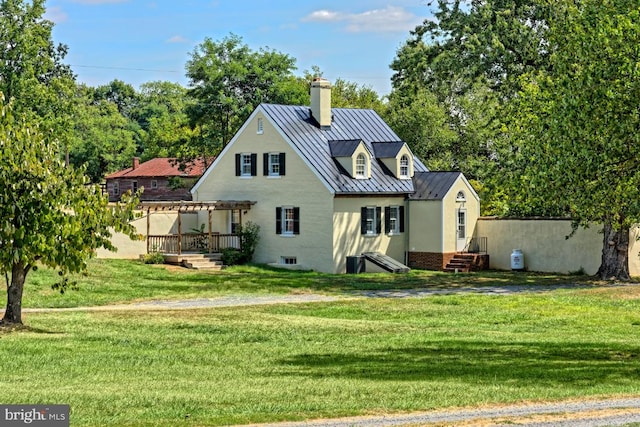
<point>122,281</point>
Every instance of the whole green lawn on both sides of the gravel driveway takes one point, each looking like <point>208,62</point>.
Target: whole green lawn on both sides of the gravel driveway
<point>292,362</point>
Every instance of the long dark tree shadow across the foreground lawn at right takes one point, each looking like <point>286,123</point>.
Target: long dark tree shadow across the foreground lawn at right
<point>521,364</point>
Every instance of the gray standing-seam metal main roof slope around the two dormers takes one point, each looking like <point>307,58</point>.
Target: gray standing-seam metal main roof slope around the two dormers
<point>347,124</point>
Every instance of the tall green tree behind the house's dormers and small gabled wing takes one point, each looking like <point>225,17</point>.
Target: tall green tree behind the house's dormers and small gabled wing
<point>470,58</point>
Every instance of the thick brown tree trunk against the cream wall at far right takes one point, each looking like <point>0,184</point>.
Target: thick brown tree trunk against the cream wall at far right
<point>615,254</point>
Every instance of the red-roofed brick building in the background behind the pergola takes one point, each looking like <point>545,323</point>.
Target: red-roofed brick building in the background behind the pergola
<point>162,179</point>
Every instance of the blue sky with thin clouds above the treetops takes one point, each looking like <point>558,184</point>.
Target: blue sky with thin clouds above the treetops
<point>138,41</point>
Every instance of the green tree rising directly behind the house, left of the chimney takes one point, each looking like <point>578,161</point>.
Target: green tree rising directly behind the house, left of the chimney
<point>228,80</point>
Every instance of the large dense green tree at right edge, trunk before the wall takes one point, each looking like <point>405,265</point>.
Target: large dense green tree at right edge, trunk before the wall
<point>578,125</point>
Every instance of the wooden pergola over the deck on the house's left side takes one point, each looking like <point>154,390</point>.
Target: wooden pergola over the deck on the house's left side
<point>176,241</point>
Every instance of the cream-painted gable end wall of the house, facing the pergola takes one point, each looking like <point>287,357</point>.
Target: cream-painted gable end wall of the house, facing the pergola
<point>299,187</point>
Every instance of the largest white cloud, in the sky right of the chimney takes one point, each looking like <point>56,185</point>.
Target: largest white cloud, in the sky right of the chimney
<point>389,19</point>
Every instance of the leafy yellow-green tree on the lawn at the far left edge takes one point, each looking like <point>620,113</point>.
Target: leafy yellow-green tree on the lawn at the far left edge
<point>49,215</point>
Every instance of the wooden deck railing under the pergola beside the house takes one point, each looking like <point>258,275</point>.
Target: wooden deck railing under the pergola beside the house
<point>192,242</point>
